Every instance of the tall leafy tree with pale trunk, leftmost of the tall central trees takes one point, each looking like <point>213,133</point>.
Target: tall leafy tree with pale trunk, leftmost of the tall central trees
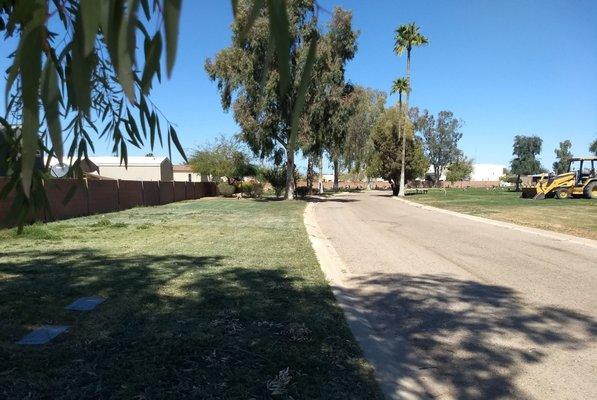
<point>261,98</point>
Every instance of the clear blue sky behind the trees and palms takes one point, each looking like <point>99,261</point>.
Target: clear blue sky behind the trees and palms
<point>504,67</point>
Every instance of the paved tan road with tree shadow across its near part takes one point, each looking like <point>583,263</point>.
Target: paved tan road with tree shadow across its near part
<point>446,307</point>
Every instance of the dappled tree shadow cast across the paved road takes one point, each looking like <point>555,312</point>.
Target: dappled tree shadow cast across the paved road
<point>471,339</point>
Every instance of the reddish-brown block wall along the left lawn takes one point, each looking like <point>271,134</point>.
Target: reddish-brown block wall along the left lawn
<point>104,196</point>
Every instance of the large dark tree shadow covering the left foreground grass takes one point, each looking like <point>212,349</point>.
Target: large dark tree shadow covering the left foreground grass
<point>173,327</point>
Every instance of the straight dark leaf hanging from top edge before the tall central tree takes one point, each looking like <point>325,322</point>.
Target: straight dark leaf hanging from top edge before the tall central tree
<point>280,29</point>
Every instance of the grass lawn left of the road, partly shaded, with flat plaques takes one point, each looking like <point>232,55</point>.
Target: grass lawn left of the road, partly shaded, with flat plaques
<point>208,299</point>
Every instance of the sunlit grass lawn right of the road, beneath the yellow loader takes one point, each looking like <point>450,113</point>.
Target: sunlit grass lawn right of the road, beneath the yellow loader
<point>572,216</point>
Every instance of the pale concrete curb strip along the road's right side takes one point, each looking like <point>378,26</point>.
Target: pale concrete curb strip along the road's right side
<point>507,225</point>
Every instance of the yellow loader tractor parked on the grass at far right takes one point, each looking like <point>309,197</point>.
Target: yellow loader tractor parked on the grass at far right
<point>579,181</point>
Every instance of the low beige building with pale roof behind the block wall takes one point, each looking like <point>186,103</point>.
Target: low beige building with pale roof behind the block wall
<point>138,168</point>
